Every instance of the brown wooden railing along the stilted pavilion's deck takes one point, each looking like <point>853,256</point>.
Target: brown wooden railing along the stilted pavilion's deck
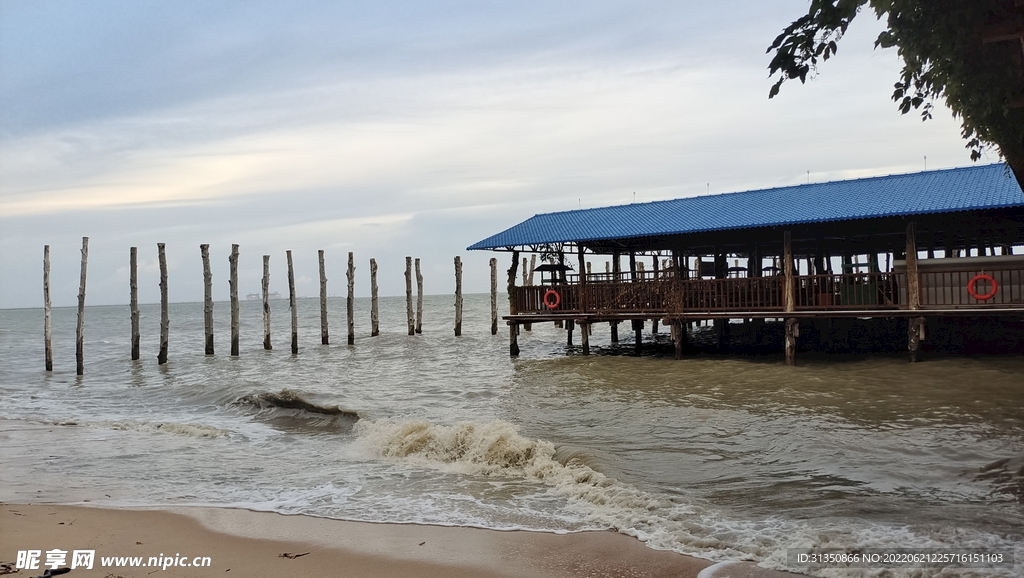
<point>861,292</point>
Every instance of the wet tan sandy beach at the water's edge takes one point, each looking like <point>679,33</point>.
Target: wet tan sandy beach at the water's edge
<point>247,544</point>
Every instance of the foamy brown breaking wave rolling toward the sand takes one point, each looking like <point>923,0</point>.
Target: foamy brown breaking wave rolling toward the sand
<point>663,521</point>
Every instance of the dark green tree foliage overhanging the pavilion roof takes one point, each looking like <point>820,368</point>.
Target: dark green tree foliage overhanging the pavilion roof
<point>963,52</point>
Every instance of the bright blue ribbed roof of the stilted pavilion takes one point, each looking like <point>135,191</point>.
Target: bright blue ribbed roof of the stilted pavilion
<point>989,187</point>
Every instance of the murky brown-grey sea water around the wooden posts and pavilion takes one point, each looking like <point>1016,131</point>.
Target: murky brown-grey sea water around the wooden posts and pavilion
<point>721,458</point>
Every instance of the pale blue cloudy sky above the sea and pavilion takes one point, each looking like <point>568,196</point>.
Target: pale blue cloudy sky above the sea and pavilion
<point>394,129</point>
